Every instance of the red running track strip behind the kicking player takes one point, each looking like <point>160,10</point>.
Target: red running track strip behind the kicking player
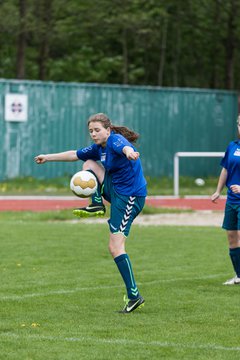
<point>29,203</point>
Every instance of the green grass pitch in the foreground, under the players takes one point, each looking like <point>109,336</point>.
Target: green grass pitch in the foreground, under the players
<point>60,293</point>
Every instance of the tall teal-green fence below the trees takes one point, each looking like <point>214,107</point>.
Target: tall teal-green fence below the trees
<point>168,119</point>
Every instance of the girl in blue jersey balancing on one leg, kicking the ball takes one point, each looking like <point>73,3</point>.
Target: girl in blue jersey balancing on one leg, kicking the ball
<point>120,182</point>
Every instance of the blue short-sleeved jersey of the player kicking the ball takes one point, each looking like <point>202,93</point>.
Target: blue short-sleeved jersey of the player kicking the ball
<point>127,175</point>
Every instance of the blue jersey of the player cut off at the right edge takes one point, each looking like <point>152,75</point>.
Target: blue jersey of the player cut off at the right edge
<point>231,162</point>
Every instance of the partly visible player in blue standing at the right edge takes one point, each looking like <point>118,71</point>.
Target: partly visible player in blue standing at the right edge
<point>230,176</point>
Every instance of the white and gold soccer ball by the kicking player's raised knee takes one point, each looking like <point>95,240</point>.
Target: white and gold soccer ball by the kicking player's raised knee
<point>83,184</point>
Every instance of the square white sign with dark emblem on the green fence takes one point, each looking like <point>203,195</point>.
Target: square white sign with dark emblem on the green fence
<point>16,107</point>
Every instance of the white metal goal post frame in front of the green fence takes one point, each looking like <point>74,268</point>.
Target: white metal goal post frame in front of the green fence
<point>188,154</point>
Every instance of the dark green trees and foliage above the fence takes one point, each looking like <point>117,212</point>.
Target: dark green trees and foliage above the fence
<point>188,43</point>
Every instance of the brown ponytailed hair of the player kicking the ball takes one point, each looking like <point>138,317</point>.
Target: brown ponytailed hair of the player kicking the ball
<point>129,134</point>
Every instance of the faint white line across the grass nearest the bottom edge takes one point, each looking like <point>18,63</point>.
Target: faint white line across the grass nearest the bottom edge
<point>92,340</point>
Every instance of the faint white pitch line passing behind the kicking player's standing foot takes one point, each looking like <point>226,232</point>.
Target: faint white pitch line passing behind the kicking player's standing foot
<point>93,288</point>
